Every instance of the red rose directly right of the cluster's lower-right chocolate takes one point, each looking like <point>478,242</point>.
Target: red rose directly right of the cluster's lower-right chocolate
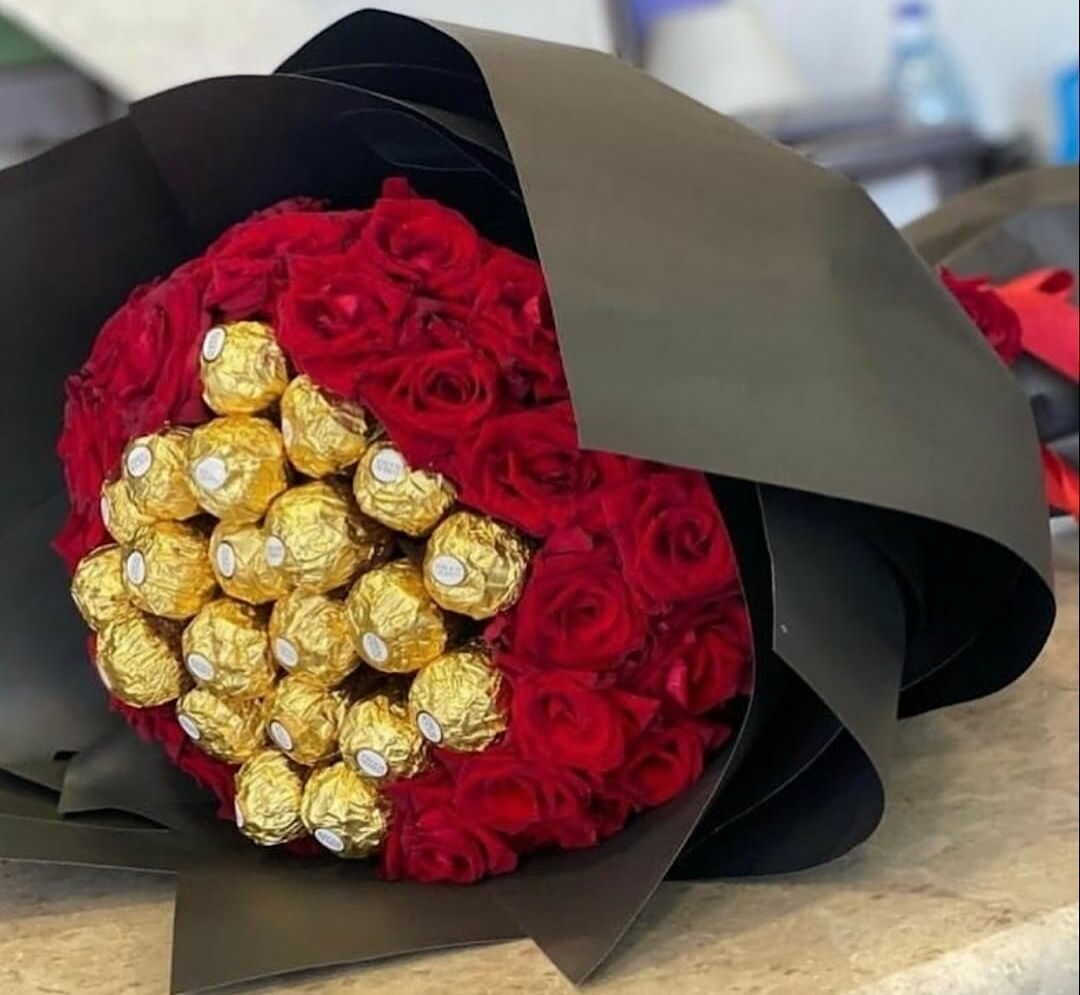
<point>569,720</point>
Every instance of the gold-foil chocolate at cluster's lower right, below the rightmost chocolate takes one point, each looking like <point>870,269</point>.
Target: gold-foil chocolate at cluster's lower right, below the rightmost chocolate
<point>455,701</point>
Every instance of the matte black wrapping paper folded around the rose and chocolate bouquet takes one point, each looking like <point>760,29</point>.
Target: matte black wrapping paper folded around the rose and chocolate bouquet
<point>721,304</point>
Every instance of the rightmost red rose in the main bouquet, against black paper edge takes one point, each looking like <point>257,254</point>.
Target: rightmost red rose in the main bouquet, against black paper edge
<point>701,661</point>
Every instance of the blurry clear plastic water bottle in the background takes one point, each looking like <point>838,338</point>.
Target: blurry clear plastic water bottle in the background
<point>924,82</point>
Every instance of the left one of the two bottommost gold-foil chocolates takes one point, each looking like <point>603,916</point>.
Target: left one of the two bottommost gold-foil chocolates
<point>269,791</point>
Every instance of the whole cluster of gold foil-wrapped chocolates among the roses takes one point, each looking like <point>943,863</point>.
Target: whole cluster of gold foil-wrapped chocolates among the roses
<point>310,629</point>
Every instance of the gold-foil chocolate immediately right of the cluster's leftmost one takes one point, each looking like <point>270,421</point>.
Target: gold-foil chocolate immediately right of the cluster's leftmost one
<point>167,570</point>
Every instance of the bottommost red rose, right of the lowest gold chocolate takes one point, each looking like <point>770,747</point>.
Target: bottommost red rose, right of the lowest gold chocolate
<point>439,844</point>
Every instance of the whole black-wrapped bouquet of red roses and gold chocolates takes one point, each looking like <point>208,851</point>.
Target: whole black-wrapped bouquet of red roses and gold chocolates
<point>442,494</point>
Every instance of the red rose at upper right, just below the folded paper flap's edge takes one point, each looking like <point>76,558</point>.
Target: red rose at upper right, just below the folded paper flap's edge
<point>671,537</point>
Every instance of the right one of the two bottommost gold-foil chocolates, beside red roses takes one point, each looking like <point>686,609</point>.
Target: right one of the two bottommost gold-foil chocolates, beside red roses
<point>344,812</point>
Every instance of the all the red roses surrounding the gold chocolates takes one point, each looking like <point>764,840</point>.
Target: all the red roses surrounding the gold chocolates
<point>627,657</point>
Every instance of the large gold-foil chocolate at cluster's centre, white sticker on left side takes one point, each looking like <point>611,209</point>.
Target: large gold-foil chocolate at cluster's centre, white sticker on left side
<point>319,539</point>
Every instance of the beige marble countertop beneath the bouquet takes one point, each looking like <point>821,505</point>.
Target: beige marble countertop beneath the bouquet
<point>969,886</point>
